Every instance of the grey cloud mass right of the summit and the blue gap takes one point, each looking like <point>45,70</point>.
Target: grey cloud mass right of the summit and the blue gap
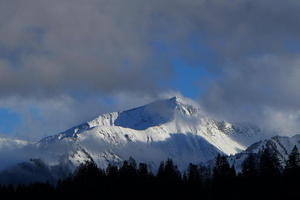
<point>262,90</point>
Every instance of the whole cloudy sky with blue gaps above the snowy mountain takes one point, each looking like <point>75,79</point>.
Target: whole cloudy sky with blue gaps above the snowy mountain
<point>64,62</point>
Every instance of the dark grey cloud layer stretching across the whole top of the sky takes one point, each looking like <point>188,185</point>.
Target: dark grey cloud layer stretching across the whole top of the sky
<point>60,45</point>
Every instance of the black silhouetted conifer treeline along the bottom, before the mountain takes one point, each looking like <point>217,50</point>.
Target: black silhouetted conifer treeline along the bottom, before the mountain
<point>261,177</point>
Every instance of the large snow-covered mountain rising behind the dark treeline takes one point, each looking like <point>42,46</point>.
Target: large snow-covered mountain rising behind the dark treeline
<point>174,128</point>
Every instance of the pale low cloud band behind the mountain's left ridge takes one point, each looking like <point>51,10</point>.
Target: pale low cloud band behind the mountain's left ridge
<point>41,118</point>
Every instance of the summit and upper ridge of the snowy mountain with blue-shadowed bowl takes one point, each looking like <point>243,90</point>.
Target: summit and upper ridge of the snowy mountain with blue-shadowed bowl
<point>143,117</point>
